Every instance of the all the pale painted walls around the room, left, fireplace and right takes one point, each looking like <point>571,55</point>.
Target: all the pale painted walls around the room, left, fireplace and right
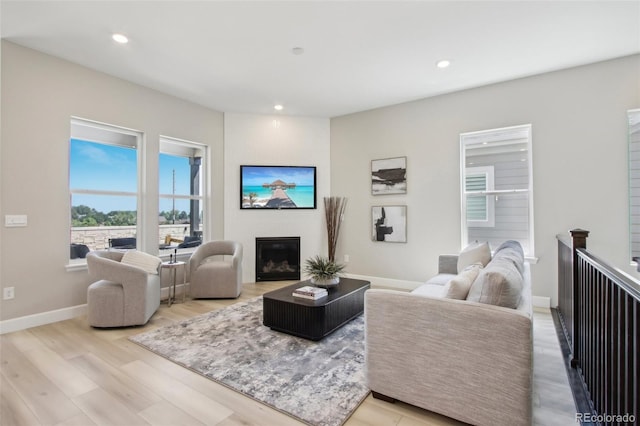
<point>579,158</point>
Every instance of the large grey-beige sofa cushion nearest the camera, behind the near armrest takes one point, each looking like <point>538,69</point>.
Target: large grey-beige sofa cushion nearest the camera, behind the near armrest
<point>499,283</point>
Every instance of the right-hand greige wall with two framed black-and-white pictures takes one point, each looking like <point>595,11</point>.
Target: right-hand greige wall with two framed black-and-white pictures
<point>579,162</point>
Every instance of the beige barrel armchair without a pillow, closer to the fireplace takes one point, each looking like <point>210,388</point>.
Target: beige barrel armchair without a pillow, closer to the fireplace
<point>216,270</point>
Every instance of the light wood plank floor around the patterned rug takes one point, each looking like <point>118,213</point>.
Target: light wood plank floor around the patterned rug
<point>70,374</point>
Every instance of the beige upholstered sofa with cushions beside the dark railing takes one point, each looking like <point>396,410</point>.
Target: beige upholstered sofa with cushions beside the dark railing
<point>468,360</point>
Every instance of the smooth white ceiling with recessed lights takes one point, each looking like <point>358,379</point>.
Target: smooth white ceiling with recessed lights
<point>235,56</point>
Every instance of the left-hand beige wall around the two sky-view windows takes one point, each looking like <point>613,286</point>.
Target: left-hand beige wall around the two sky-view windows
<point>40,93</point>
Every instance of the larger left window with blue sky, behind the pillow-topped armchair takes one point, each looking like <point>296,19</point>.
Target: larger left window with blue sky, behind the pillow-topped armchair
<point>104,187</point>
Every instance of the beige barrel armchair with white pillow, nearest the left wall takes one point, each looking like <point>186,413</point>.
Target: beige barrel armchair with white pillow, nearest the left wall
<point>124,295</point>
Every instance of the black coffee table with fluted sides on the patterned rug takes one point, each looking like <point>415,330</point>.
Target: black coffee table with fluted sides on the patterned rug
<point>314,319</point>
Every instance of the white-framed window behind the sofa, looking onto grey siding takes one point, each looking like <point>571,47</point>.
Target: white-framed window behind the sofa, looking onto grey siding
<point>497,187</point>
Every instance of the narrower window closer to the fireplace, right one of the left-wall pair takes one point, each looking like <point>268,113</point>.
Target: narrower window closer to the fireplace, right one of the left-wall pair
<point>181,186</point>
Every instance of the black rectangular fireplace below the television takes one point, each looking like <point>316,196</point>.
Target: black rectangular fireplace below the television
<point>277,259</point>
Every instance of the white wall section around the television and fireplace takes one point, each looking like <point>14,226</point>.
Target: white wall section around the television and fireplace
<point>253,140</point>
